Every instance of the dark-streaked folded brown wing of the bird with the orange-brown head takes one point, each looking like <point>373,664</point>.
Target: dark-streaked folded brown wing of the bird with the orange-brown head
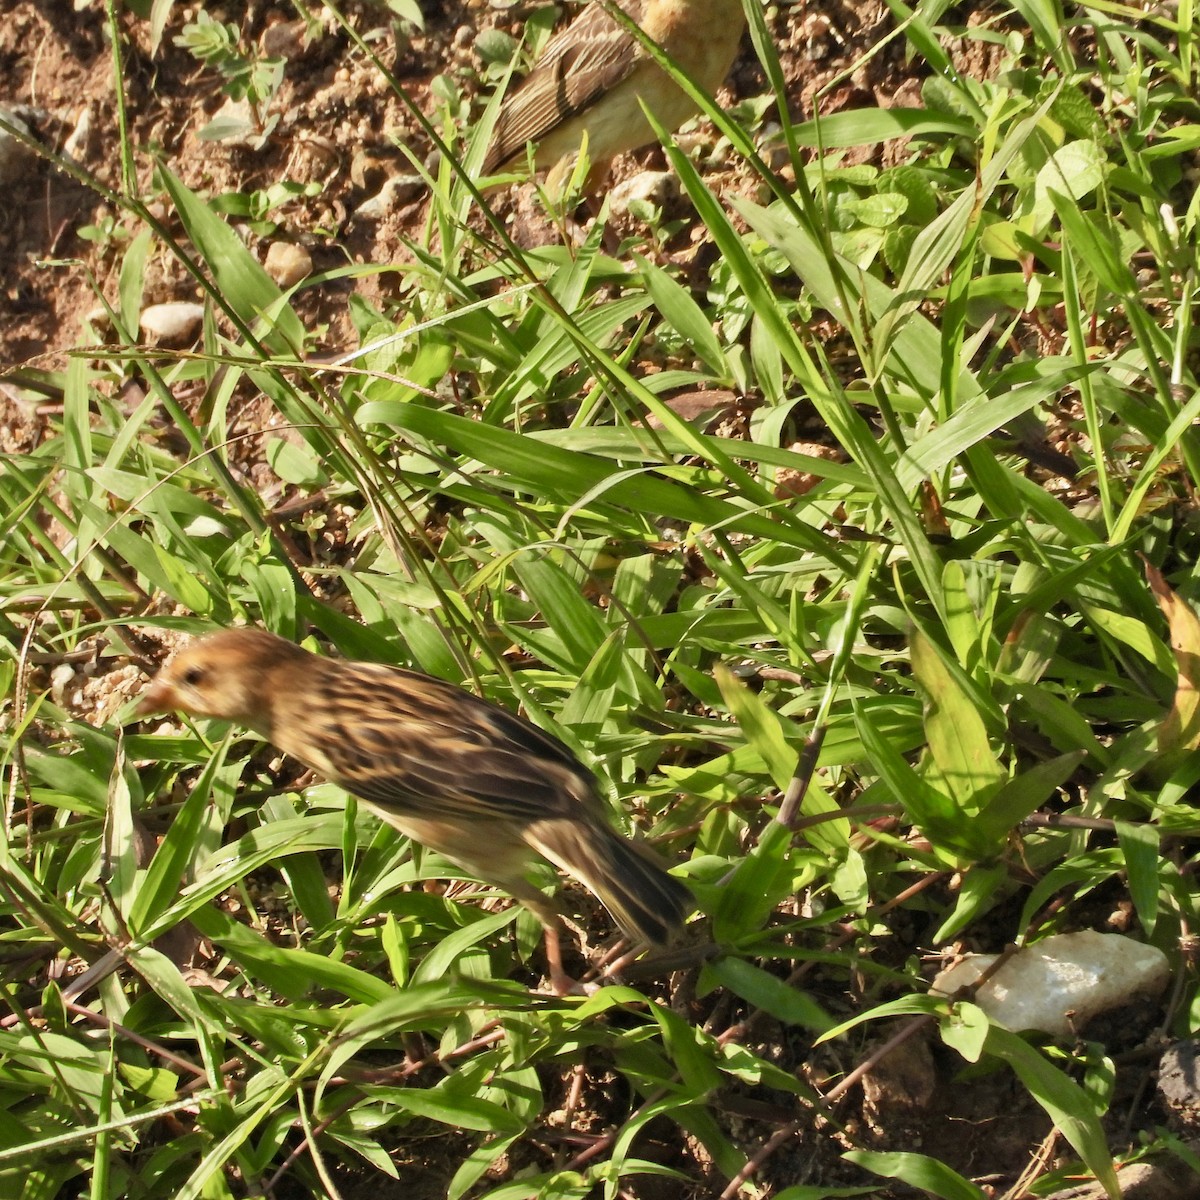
<point>419,746</point>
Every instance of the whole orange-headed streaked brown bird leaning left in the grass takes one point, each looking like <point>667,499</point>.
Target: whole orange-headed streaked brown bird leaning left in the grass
<point>471,781</point>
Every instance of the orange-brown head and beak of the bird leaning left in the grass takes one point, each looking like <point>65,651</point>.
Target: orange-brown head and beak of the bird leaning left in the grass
<point>226,676</point>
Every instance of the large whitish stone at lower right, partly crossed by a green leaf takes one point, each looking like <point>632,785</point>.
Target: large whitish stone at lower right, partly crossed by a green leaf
<point>1059,985</point>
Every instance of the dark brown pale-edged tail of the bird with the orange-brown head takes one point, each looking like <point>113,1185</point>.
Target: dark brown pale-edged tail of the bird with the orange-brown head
<point>629,880</point>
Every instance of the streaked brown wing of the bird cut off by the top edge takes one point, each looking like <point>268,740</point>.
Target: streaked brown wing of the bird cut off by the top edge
<point>580,64</point>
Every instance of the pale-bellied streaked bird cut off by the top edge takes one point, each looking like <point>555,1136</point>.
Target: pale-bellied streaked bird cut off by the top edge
<point>593,75</point>
